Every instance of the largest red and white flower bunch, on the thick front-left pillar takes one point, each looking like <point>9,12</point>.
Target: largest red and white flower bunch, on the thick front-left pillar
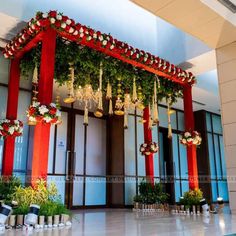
<point>49,114</point>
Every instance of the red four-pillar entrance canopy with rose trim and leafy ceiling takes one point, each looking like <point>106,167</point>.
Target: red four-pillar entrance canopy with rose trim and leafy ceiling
<point>58,46</point>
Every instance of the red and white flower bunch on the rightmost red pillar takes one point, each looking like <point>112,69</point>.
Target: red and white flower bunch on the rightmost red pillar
<point>189,138</point>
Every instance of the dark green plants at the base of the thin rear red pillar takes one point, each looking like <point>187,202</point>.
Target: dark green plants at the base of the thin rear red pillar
<point>150,194</point>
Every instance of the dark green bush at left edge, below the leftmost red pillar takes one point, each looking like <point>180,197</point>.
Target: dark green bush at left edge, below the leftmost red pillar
<point>8,186</point>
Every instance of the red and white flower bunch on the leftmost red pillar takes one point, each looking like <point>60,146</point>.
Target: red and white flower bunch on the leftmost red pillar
<point>13,128</point>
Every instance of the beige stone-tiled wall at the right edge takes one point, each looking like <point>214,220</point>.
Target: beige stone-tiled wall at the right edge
<point>226,65</point>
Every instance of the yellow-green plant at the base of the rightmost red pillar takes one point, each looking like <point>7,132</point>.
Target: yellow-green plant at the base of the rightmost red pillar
<point>192,197</point>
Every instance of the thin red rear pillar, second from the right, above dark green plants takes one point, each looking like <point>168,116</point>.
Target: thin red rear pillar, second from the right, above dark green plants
<point>148,138</point>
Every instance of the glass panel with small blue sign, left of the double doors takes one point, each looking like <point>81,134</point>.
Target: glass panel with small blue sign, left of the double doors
<point>61,145</point>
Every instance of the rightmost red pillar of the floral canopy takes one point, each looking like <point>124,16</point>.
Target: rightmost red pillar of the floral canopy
<point>191,150</point>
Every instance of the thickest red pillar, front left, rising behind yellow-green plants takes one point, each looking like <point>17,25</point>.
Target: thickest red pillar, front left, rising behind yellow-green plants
<point>45,89</point>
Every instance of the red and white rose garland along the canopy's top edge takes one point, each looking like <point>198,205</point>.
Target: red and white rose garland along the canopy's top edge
<point>77,32</point>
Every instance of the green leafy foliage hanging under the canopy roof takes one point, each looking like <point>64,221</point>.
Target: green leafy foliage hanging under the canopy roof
<point>87,61</point>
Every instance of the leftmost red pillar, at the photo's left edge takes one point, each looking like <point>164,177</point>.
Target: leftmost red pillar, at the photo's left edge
<point>12,105</point>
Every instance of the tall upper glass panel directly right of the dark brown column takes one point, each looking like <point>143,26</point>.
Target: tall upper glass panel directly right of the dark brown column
<point>130,147</point>
